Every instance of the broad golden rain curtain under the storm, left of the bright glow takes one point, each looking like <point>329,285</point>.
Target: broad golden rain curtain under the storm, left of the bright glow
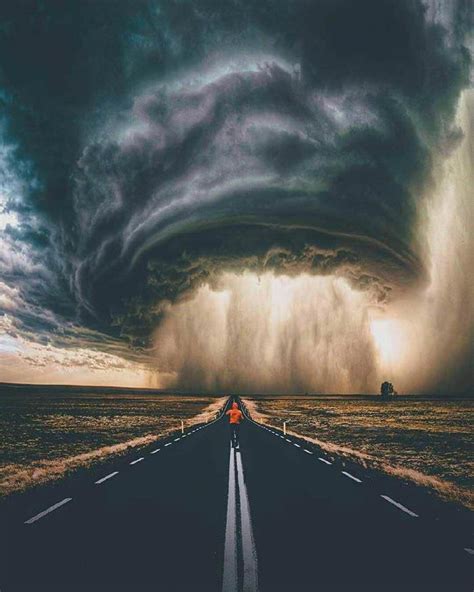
<point>270,334</point>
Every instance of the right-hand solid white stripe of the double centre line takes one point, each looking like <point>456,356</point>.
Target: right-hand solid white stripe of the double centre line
<point>249,555</point>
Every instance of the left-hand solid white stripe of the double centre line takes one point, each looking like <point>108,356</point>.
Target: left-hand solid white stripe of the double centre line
<point>229,580</point>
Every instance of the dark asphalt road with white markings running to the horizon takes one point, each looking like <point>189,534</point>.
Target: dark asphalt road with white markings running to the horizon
<point>191,514</point>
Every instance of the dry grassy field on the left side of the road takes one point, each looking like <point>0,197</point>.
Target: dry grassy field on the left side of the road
<point>44,434</point>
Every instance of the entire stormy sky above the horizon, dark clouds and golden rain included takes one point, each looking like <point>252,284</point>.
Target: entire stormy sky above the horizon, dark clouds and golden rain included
<point>257,196</point>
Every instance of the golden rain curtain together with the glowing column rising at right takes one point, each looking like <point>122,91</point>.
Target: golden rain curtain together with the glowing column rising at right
<point>268,333</point>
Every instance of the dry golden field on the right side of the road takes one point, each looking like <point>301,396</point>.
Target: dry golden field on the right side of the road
<point>429,441</point>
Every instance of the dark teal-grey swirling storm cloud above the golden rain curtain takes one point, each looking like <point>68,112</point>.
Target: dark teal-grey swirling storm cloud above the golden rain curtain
<point>150,147</point>
